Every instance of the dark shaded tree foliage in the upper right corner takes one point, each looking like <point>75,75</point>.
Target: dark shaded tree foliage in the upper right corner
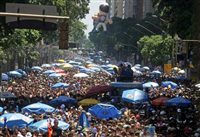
<point>177,14</point>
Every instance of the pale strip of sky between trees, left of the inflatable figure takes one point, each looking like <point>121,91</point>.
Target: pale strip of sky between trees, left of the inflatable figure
<point>94,8</point>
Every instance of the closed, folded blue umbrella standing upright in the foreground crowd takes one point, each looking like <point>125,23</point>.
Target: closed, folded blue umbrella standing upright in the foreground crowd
<point>83,121</point>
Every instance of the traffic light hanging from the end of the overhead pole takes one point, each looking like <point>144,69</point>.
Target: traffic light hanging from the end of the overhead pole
<point>63,35</point>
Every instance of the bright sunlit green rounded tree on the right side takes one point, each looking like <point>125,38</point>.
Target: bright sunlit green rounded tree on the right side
<point>156,48</point>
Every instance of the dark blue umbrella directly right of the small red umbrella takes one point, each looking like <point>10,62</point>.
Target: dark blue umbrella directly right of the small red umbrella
<point>178,101</point>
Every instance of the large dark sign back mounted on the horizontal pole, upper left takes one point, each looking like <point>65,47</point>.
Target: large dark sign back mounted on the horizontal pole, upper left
<point>28,22</point>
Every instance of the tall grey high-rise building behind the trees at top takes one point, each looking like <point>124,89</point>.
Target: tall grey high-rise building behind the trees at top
<point>130,8</point>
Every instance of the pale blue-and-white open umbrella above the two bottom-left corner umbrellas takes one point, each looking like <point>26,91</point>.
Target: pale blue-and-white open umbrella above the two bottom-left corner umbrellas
<point>38,108</point>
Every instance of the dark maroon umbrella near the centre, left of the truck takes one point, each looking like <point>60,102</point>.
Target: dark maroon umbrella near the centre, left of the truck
<point>99,89</point>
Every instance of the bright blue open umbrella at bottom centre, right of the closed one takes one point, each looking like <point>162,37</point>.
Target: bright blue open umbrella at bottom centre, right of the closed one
<point>105,111</point>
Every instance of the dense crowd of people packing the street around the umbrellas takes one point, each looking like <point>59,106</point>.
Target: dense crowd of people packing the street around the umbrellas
<point>168,121</point>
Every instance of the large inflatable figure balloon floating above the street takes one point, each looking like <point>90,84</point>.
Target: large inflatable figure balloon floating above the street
<point>101,18</point>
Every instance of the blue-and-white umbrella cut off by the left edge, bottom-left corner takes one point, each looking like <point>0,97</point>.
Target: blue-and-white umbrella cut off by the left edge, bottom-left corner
<point>12,120</point>
